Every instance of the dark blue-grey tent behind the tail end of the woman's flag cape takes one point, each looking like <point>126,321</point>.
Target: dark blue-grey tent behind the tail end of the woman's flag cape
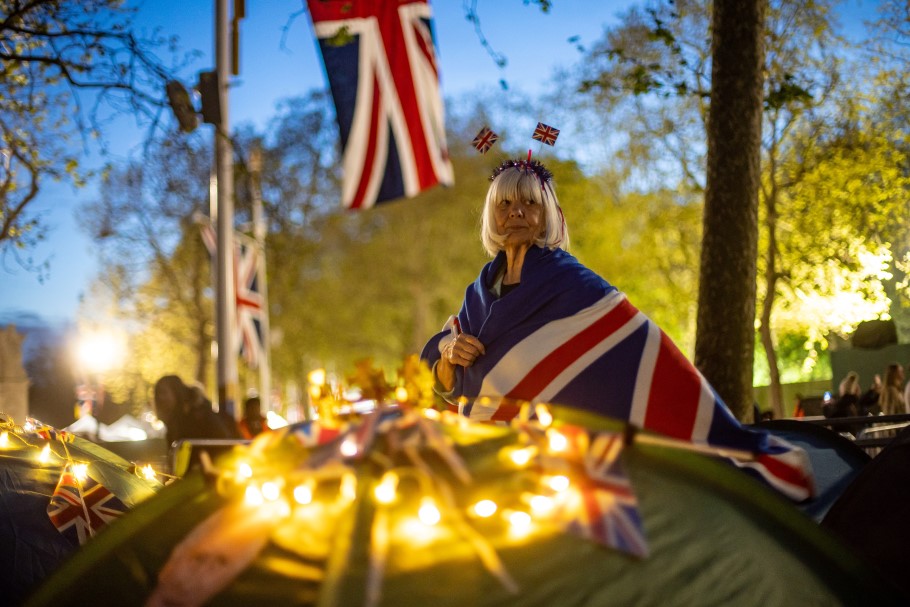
<point>836,460</point>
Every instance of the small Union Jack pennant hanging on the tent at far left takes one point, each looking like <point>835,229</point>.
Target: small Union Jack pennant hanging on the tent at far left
<point>79,510</point>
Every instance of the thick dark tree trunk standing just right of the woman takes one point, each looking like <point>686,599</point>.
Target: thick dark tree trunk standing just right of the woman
<point>724,341</point>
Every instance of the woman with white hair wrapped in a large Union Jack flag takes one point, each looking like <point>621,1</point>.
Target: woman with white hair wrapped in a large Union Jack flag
<point>538,326</point>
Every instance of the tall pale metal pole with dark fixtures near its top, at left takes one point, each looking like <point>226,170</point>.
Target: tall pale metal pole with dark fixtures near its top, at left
<point>224,177</point>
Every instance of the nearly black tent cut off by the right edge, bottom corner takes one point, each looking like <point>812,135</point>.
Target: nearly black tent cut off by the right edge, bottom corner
<point>872,516</point>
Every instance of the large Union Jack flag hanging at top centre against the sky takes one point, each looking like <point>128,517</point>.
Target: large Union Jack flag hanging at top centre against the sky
<point>380,60</point>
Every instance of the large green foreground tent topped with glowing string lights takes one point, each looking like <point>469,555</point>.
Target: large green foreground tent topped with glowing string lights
<point>714,536</point>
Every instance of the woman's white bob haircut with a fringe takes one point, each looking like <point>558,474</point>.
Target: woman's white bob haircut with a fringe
<point>520,183</point>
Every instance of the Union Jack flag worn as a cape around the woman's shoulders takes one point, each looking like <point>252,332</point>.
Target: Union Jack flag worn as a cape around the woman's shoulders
<point>568,337</point>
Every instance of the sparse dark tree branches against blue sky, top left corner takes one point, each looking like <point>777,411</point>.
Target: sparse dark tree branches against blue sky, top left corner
<point>67,68</point>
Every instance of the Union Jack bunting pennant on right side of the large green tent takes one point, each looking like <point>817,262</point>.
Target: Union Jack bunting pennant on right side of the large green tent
<point>602,506</point>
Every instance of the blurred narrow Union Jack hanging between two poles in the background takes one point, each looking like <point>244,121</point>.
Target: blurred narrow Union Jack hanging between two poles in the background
<point>248,270</point>
